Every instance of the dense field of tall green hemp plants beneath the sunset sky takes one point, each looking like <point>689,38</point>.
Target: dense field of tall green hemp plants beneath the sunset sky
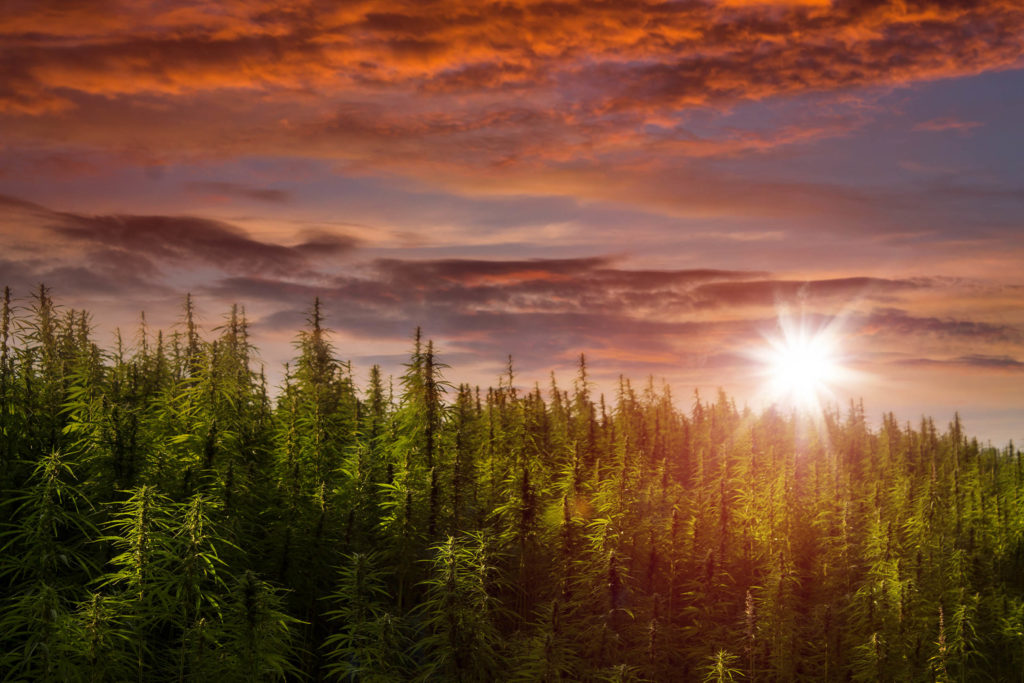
<point>168,517</point>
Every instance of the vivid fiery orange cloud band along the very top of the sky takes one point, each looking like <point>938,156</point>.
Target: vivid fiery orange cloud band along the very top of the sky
<point>593,57</point>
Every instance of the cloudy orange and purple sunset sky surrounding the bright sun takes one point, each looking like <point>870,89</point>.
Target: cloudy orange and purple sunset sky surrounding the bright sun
<point>659,186</point>
